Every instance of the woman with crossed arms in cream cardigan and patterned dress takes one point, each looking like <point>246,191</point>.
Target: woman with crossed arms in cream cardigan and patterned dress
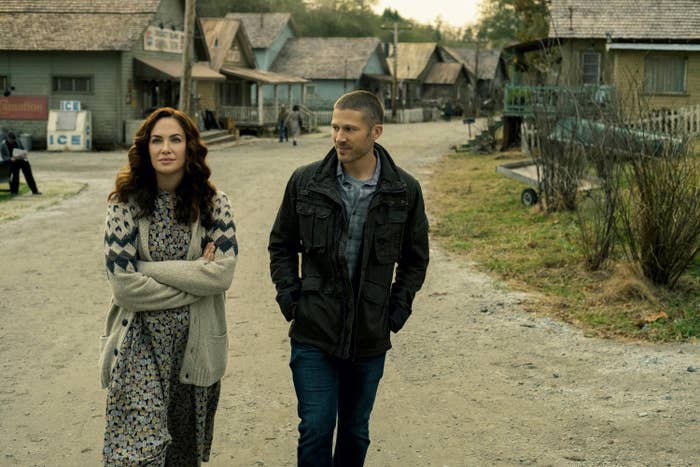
<point>170,252</point>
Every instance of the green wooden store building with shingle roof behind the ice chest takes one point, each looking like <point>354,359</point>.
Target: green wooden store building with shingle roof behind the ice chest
<point>118,60</point>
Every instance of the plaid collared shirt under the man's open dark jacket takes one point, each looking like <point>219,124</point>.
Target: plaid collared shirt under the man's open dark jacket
<point>356,195</point>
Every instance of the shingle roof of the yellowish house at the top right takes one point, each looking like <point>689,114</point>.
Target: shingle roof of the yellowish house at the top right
<point>625,19</point>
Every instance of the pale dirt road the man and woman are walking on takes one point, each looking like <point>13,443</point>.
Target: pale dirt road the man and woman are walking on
<point>472,379</point>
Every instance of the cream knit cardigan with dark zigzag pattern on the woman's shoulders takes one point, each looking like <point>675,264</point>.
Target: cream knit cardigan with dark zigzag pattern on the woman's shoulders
<point>141,284</point>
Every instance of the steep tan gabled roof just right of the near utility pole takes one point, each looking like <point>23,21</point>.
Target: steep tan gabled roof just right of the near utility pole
<point>219,34</point>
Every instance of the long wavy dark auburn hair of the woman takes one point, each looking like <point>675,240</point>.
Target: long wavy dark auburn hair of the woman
<point>194,196</point>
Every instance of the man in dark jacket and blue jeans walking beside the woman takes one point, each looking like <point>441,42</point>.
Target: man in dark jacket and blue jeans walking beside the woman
<point>355,218</point>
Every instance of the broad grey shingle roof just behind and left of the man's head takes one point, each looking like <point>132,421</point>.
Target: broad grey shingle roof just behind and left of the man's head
<point>327,57</point>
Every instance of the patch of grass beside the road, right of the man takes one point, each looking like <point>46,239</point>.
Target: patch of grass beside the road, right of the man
<point>479,215</point>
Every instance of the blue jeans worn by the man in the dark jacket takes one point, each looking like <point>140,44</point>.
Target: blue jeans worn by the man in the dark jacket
<point>328,388</point>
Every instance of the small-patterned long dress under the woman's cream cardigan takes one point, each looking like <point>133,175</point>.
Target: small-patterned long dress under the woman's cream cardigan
<point>152,418</point>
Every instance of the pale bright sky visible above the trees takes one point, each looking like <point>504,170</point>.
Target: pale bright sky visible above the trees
<point>454,12</point>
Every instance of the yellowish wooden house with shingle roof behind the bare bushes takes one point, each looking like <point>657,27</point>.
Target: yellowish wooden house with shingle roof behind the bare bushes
<point>645,53</point>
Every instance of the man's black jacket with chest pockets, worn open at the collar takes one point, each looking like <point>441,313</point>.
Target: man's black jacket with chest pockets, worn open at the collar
<point>328,312</point>
